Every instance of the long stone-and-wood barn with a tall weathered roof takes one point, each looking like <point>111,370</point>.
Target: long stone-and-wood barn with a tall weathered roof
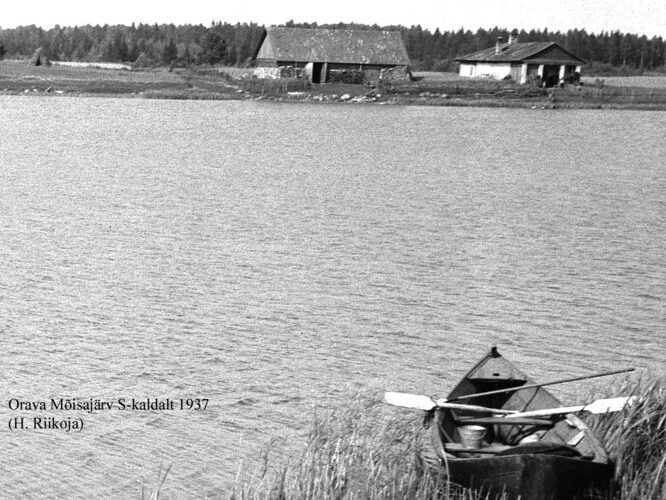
<point>326,54</point>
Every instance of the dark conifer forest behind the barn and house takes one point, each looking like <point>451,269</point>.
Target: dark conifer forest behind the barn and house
<point>234,45</point>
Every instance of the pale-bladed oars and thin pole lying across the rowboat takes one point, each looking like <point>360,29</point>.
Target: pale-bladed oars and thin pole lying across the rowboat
<point>596,407</point>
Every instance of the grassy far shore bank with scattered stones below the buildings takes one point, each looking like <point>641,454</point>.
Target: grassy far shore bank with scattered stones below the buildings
<point>429,89</point>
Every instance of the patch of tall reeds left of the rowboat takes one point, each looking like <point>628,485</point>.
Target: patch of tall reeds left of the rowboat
<point>363,450</point>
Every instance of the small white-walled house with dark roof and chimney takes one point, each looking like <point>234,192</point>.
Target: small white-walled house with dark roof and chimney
<point>543,62</point>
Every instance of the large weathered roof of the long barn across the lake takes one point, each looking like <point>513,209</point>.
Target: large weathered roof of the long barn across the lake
<point>334,46</point>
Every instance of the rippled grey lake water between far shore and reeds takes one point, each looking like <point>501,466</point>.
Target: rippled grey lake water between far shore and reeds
<point>277,258</point>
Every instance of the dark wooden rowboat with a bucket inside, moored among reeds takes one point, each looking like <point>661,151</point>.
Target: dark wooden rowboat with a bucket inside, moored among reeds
<point>530,458</point>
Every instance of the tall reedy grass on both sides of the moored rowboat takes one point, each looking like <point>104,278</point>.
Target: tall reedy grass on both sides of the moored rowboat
<point>367,450</point>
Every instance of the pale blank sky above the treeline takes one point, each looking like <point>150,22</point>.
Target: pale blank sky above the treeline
<point>646,17</point>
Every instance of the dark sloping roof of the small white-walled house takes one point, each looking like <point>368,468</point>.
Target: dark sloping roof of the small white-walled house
<point>536,52</point>
